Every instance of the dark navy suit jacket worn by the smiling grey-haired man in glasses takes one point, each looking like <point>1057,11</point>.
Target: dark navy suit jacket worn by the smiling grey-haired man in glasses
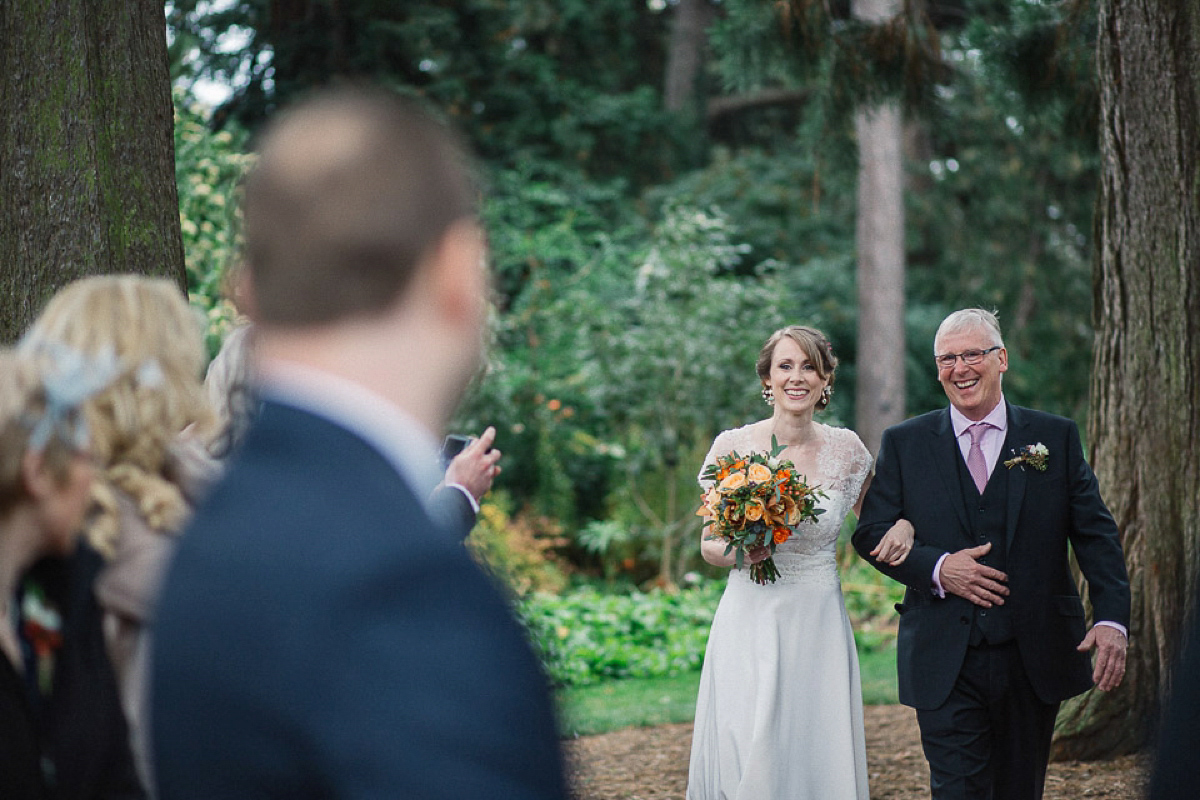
<point>917,479</point>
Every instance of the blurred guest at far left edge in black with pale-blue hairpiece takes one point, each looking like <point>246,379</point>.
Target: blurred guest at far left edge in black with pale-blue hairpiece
<point>63,736</point>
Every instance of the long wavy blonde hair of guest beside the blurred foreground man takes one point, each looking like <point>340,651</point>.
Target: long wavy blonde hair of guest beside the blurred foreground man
<point>157,339</point>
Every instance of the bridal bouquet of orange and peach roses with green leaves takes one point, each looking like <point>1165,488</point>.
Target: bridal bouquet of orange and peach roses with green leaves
<point>757,501</point>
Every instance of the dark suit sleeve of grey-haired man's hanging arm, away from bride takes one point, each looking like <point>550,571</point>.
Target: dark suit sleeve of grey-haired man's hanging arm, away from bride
<point>1096,540</point>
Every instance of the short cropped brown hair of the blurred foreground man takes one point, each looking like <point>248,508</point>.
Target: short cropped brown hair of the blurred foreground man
<point>352,193</point>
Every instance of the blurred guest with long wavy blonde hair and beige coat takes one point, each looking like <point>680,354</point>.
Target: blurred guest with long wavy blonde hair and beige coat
<point>149,476</point>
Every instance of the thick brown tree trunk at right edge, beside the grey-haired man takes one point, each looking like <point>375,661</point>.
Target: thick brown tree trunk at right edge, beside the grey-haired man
<point>1145,398</point>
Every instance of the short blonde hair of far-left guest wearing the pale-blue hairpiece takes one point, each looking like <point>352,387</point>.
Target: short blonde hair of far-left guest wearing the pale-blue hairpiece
<point>22,406</point>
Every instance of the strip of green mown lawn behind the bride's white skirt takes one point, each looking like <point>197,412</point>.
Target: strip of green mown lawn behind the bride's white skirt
<point>657,701</point>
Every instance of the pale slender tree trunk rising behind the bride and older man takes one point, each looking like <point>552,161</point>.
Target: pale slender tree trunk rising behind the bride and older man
<point>881,260</point>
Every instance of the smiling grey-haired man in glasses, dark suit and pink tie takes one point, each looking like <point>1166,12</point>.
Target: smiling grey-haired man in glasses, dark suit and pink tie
<point>993,633</point>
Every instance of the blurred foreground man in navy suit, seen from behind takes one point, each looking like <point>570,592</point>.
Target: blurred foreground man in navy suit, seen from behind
<point>320,634</point>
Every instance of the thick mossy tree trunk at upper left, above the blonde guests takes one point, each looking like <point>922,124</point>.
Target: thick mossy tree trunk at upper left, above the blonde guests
<point>87,149</point>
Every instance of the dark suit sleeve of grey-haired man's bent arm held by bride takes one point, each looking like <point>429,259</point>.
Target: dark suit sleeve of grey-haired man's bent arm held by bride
<point>883,507</point>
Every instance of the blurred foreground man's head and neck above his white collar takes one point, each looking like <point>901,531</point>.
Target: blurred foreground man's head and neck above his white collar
<point>364,252</point>
